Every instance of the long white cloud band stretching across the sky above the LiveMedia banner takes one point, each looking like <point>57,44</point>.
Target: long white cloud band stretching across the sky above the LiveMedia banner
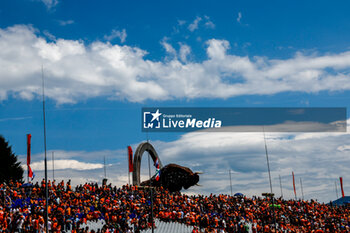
<point>76,71</point>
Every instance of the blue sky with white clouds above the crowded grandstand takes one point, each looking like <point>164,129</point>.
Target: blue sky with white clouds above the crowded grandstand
<point>103,61</point>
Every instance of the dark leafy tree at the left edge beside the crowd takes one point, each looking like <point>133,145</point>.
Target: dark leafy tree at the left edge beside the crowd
<point>10,168</point>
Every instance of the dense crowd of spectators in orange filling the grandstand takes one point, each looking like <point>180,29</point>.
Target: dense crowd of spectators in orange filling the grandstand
<point>128,209</point>
